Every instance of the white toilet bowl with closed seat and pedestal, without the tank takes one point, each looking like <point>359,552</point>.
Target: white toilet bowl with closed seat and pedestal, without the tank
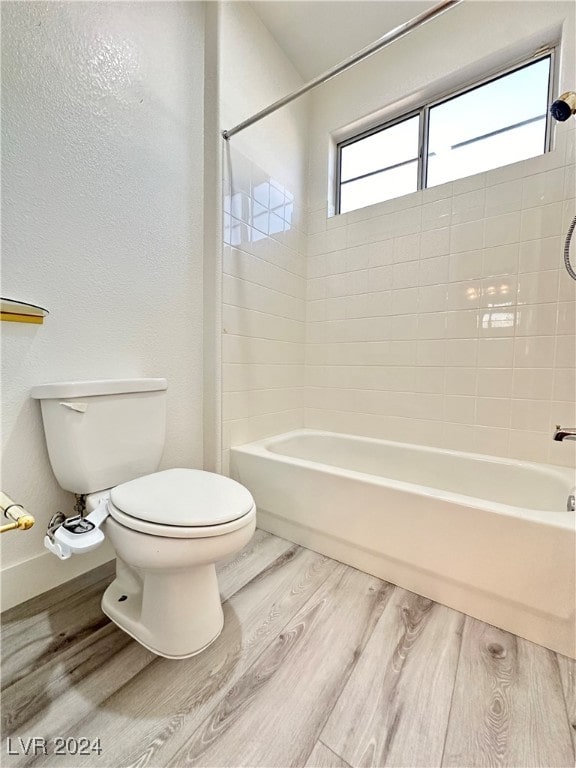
<point>168,530</point>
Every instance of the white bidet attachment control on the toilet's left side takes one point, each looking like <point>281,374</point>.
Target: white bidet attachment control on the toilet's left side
<point>76,535</point>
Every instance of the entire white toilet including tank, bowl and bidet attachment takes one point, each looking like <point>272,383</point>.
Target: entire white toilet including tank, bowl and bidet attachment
<point>168,528</point>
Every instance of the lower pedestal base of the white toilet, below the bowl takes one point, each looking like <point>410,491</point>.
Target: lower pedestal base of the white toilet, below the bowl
<point>174,614</point>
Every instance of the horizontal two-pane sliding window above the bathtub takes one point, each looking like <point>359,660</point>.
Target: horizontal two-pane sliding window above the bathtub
<point>491,124</point>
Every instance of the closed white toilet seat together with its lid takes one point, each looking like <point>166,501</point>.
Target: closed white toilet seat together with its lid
<point>182,503</point>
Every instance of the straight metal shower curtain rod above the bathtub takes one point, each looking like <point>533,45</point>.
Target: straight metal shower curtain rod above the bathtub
<point>382,42</point>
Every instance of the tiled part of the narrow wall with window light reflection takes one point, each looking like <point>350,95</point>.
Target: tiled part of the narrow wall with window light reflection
<point>264,306</point>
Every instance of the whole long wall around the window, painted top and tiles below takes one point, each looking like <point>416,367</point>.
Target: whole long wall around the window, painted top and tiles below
<point>405,338</point>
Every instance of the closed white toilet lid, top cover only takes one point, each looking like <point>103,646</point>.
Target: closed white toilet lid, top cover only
<point>183,497</point>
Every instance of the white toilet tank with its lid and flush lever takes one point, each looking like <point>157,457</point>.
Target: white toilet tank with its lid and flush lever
<point>103,433</point>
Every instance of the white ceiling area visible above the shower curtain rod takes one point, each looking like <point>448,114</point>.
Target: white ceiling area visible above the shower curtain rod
<point>317,35</point>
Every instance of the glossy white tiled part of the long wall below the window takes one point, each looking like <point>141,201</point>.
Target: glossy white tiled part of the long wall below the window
<point>446,317</point>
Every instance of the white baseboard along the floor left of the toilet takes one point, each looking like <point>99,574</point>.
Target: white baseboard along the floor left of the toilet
<point>32,577</point>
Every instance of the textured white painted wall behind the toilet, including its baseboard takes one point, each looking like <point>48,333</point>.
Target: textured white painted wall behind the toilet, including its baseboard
<point>102,119</point>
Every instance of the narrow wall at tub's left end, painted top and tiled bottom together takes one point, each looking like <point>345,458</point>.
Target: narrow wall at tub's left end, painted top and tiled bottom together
<point>264,286</point>
